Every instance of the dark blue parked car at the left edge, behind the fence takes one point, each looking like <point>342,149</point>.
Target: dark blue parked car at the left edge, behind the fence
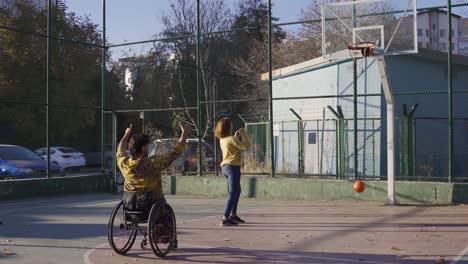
<point>17,162</point>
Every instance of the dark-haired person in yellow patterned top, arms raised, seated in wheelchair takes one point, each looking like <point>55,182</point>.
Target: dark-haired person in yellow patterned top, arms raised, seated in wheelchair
<point>143,184</point>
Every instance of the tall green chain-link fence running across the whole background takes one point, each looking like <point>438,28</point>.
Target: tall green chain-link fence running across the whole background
<point>73,75</point>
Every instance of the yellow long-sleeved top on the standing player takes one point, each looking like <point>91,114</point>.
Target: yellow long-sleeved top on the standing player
<point>232,148</point>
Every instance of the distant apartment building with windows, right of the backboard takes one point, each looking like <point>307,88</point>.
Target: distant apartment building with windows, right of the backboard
<point>433,31</point>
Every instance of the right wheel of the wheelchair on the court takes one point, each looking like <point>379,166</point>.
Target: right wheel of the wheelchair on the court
<point>162,229</point>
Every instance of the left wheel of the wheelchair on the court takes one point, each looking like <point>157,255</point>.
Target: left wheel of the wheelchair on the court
<point>121,235</point>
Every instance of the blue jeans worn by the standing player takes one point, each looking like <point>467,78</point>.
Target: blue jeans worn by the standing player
<point>232,174</point>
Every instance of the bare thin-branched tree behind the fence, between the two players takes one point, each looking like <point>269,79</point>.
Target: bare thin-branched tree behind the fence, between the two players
<point>181,21</point>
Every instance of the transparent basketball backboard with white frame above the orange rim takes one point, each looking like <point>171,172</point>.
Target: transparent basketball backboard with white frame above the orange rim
<point>390,24</point>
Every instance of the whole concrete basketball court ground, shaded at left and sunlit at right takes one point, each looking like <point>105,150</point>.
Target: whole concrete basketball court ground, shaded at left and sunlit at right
<point>72,229</point>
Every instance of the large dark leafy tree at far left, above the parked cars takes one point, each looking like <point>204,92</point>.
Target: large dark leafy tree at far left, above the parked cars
<point>75,76</point>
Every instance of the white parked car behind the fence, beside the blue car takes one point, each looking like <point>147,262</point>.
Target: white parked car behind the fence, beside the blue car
<point>65,157</point>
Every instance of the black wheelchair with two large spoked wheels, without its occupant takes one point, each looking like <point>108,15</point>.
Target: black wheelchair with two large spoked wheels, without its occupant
<point>158,226</point>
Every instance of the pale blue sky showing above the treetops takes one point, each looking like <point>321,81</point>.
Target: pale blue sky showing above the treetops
<point>130,21</point>
